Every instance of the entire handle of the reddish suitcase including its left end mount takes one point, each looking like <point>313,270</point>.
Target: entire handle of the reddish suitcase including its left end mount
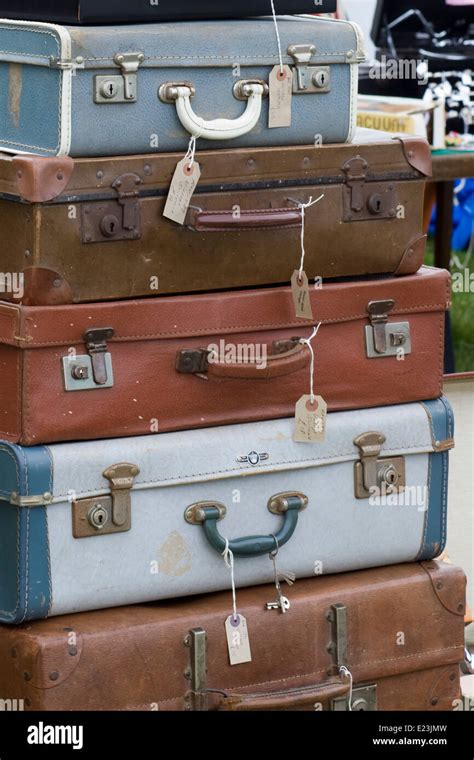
<point>268,367</point>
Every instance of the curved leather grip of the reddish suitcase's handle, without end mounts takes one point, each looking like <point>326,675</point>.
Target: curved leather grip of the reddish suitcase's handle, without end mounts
<point>277,365</point>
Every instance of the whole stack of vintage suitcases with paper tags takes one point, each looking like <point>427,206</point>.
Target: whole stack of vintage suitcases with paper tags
<point>177,420</point>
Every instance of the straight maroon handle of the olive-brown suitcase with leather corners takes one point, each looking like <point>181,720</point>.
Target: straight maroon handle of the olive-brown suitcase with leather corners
<point>220,221</point>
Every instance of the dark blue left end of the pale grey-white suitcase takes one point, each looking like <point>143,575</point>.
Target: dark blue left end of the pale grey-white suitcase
<point>25,575</point>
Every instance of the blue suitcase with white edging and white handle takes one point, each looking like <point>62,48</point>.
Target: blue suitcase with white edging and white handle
<point>102,91</point>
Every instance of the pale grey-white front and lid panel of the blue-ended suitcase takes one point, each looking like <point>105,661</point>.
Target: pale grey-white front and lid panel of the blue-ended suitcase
<point>180,469</point>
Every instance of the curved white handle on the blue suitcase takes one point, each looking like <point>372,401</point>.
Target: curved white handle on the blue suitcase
<point>220,129</point>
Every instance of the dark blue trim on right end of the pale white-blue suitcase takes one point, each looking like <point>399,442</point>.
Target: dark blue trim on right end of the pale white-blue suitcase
<point>435,531</point>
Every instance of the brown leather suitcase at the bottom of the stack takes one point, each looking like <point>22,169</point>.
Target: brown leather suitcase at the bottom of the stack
<point>399,632</point>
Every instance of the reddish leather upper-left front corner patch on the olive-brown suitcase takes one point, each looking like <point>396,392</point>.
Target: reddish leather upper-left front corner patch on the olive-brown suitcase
<point>40,179</point>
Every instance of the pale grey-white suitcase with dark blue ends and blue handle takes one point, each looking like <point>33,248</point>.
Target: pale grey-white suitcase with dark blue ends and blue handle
<point>110,523</point>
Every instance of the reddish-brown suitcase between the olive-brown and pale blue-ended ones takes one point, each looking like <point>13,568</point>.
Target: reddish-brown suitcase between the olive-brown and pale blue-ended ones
<point>136,368</point>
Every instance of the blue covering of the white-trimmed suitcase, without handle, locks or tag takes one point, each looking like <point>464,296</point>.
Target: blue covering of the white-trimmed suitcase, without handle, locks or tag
<point>205,53</point>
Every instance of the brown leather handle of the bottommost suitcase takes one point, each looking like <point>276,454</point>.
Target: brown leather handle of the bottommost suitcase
<point>293,699</point>
